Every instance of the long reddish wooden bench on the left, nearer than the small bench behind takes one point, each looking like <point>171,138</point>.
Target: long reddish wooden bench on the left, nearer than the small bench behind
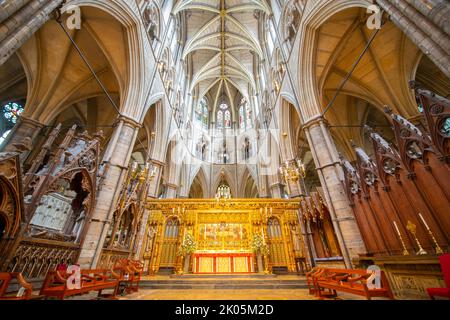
<point>55,283</point>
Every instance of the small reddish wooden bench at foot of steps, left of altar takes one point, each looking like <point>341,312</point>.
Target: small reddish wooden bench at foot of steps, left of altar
<point>129,273</point>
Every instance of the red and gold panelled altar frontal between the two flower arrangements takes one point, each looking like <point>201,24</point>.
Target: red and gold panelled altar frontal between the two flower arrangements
<point>223,262</point>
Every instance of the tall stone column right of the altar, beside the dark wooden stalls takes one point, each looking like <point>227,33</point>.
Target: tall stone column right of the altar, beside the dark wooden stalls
<point>331,176</point>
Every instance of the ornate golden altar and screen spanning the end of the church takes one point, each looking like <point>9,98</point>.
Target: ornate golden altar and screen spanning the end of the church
<point>222,234</point>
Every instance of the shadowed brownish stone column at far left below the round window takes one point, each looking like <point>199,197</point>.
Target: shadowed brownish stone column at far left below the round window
<point>25,128</point>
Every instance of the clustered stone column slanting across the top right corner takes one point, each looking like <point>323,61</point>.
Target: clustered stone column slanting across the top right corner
<point>415,27</point>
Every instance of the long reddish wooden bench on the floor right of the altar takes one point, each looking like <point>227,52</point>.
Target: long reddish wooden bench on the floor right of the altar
<point>328,281</point>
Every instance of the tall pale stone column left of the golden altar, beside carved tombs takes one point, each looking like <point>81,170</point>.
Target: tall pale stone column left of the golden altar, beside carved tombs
<point>116,159</point>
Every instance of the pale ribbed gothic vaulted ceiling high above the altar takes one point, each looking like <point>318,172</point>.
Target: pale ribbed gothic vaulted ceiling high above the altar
<point>222,46</point>
